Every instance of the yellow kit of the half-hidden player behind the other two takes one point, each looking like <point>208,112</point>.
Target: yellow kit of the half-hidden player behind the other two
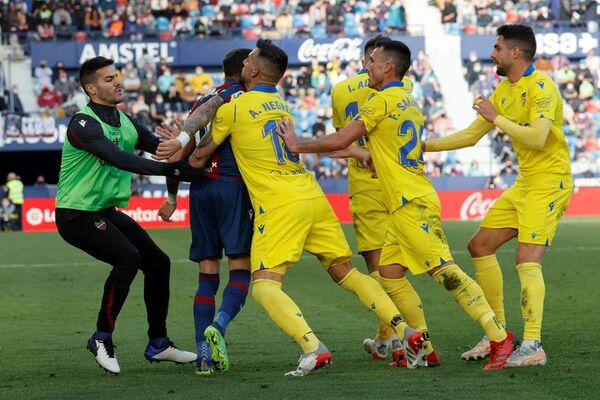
<point>369,213</point>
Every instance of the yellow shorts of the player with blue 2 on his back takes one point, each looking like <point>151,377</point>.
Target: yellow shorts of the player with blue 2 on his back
<point>415,238</point>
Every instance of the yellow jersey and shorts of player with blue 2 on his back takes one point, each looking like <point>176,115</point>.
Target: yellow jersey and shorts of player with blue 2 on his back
<point>414,237</point>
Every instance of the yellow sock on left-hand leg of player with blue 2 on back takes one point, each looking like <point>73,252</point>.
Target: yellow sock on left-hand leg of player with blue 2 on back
<point>409,304</point>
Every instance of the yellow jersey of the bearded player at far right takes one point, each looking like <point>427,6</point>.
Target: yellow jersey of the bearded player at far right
<point>532,97</point>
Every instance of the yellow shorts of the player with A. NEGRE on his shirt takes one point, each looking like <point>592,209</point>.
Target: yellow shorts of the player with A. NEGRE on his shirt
<point>280,235</point>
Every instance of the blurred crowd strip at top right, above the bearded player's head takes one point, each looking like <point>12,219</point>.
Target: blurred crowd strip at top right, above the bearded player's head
<point>484,16</point>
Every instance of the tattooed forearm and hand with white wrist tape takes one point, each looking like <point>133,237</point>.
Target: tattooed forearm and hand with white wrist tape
<point>198,119</point>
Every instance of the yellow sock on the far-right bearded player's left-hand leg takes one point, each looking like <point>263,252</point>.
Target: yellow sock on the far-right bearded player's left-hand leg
<point>489,278</point>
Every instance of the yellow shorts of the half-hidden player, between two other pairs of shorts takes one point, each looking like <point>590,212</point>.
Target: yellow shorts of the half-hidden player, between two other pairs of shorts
<point>370,217</point>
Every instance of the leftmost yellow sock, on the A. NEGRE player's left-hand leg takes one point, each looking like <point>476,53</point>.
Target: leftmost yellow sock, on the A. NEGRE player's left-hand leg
<point>285,313</point>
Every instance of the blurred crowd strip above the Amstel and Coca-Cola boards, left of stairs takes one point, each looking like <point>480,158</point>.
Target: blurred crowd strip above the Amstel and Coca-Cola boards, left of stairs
<point>81,19</point>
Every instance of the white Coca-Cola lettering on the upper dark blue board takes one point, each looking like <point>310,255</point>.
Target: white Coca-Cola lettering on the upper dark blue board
<point>345,49</point>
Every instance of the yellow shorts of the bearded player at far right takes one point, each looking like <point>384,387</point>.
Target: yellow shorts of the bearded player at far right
<point>533,208</point>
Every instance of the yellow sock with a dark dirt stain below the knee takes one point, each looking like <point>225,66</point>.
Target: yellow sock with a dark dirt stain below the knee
<point>470,297</point>
